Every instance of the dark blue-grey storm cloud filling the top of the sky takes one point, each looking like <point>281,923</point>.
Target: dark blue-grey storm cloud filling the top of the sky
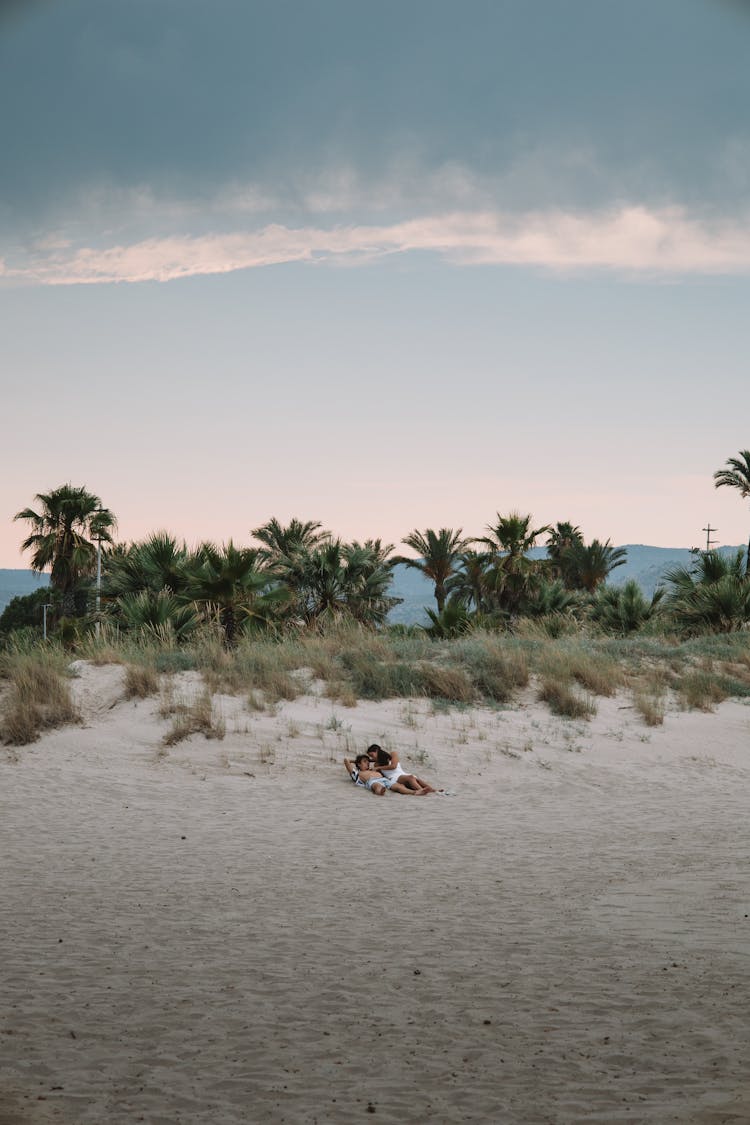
<point>185,96</point>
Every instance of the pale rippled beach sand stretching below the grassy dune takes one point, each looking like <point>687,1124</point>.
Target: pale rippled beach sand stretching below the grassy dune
<point>229,931</point>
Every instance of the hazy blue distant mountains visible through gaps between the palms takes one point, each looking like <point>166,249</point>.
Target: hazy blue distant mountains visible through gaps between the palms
<point>645,564</point>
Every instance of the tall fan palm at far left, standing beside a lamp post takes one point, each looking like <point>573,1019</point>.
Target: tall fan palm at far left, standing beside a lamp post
<point>62,528</point>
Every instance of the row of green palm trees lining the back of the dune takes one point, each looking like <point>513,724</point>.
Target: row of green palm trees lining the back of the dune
<point>301,575</point>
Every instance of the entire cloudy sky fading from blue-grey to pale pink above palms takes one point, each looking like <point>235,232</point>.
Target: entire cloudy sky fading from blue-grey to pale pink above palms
<point>386,266</point>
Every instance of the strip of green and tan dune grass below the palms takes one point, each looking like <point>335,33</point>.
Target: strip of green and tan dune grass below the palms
<point>348,663</point>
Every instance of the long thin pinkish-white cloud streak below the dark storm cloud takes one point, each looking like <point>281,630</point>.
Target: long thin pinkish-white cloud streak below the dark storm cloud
<point>631,240</point>
